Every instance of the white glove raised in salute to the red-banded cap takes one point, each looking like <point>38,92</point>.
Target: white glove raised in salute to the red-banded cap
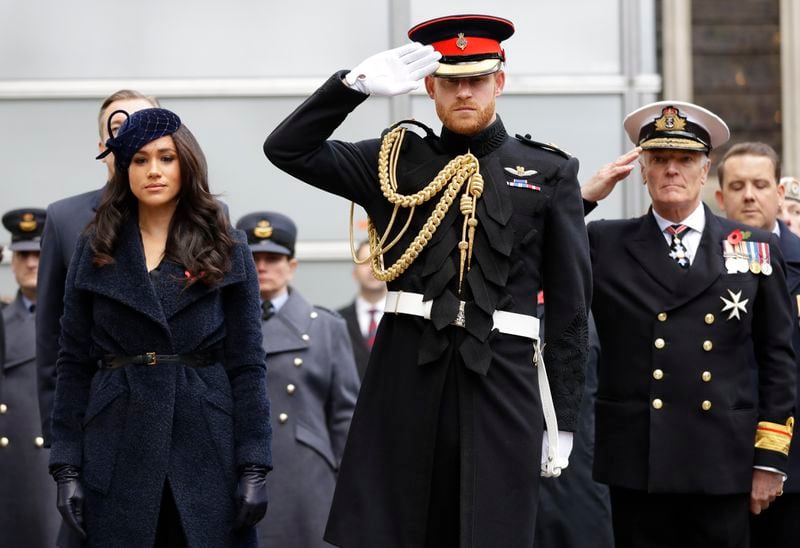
<point>395,71</point>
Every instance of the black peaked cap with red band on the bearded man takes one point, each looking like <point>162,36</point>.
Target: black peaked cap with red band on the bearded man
<point>469,44</point>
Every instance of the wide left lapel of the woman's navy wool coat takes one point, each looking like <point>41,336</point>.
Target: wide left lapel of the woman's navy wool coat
<point>126,280</point>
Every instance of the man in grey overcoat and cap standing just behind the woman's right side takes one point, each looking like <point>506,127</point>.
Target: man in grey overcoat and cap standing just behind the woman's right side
<point>312,382</point>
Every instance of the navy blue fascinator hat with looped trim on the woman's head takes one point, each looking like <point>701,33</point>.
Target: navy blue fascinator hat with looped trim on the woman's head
<point>137,130</point>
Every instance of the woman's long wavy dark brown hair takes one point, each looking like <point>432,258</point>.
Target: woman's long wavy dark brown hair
<point>199,234</point>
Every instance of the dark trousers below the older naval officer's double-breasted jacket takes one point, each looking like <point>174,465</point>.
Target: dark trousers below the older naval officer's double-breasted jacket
<point>644,520</point>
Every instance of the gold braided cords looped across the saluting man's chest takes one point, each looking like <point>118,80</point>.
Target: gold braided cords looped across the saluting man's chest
<point>461,169</point>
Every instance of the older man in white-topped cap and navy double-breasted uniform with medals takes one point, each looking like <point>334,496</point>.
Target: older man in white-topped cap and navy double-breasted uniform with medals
<point>686,436</point>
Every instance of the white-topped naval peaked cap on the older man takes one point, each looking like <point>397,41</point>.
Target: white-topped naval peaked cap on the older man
<point>676,125</point>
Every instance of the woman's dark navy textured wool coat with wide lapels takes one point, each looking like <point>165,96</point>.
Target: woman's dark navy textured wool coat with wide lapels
<point>133,428</point>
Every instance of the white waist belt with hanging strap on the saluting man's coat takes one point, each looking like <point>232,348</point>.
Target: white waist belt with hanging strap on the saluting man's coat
<point>510,323</point>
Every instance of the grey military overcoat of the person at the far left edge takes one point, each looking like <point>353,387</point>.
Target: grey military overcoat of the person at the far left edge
<point>28,515</point>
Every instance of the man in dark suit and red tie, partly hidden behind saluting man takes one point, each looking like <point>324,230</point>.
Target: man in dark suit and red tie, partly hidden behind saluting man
<point>365,312</point>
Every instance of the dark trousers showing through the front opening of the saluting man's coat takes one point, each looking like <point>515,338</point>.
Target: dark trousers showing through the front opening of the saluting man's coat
<point>443,526</point>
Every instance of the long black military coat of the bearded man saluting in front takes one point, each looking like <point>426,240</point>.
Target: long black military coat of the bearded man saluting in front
<point>527,239</point>
